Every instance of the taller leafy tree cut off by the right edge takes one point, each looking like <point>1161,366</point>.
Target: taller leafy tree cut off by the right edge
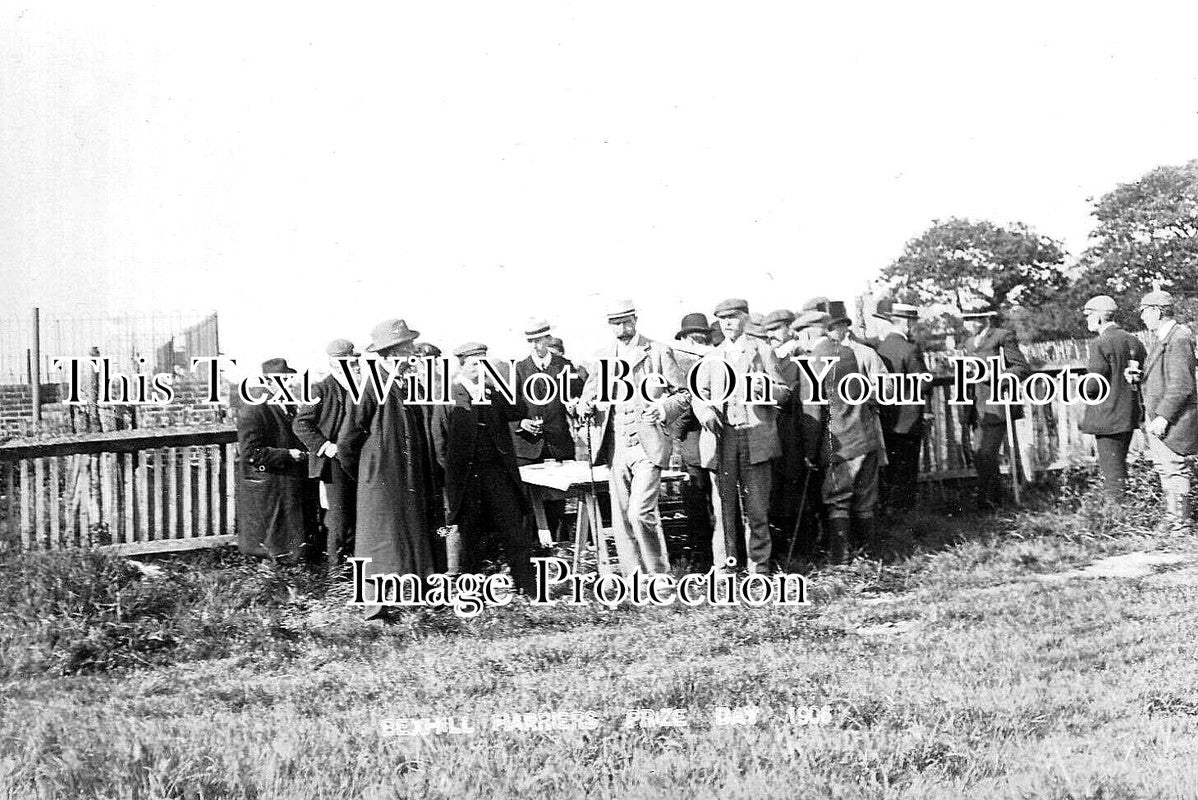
<point>1147,233</point>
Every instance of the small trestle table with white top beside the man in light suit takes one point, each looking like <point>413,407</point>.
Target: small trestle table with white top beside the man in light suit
<point>556,480</point>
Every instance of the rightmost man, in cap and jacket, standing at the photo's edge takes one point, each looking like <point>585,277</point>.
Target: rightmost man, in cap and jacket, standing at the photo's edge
<point>1171,408</point>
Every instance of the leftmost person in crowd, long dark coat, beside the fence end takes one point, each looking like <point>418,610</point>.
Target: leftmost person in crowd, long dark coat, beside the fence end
<point>277,502</point>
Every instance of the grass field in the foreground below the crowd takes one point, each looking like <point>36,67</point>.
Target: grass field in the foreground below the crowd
<point>976,665</point>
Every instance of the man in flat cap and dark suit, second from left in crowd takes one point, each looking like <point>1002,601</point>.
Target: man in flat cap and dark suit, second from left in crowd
<point>319,427</point>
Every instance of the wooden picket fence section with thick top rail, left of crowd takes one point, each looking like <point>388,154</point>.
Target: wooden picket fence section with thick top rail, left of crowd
<point>134,492</point>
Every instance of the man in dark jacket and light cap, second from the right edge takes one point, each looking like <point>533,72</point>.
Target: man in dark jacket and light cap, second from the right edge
<point>1112,422</point>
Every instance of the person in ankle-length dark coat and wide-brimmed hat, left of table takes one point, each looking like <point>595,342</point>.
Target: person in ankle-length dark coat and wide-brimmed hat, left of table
<point>384,445</point>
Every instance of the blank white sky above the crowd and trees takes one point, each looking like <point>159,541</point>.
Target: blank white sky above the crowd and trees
<point>468,166</point>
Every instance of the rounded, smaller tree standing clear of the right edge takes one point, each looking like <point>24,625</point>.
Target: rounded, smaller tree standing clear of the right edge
<point>960,263</point>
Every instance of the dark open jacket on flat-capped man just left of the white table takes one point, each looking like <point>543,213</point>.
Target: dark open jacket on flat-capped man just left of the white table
<point>456,431</point>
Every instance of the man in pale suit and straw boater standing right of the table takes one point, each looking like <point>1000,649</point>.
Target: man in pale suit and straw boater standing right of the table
<point>634,438</point>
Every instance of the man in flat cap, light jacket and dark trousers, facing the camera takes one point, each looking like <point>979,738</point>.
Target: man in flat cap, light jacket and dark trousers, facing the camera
<point>740,439</point>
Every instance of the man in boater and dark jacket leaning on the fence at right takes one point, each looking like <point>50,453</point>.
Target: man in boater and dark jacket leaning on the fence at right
<point>989,420</point>
